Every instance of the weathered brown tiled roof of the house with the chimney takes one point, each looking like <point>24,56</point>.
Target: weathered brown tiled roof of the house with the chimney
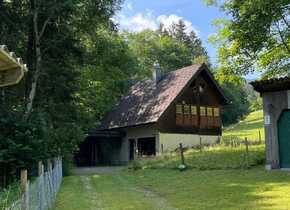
<point>147,100</point>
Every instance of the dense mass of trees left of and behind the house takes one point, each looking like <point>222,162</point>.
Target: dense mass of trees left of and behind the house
<point>79,66</point>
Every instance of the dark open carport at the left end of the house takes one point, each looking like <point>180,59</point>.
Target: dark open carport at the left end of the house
<point>99,150</point>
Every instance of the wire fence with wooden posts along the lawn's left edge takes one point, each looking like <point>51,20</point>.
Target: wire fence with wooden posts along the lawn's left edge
<point>40,193</point>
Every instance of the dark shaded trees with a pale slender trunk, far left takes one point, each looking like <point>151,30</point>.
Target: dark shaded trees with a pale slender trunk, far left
<point>52,36</point>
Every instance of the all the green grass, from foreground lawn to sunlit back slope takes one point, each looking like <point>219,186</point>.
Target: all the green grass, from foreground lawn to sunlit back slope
<point>216,179</point>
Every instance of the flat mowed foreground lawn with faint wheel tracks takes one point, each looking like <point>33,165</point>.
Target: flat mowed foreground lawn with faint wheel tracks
<point>171,189</point>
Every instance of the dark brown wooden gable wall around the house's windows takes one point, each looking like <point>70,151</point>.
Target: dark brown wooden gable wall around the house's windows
<point>209,98</point>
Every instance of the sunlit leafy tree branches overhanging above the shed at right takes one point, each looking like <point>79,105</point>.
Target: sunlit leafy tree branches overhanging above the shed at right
<point>256,38</point>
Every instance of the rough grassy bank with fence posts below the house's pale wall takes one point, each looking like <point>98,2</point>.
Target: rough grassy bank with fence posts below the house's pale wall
<point>210,158</point>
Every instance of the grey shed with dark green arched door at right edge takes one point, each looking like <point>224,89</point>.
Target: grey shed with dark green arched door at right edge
<point>276,105</point>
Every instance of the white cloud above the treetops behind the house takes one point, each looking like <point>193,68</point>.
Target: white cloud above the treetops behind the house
<point>141,21</point>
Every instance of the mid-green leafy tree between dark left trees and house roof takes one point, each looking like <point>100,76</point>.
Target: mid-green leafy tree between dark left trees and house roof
<point>109,69</point>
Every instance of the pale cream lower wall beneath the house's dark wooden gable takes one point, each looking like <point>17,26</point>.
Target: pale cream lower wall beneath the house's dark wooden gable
<point>170,141</point>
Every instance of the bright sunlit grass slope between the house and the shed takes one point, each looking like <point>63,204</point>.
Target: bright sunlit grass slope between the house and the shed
<point>249,127</point>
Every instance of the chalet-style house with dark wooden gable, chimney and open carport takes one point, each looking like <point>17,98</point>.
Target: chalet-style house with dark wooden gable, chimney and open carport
<point>183,106</point>
